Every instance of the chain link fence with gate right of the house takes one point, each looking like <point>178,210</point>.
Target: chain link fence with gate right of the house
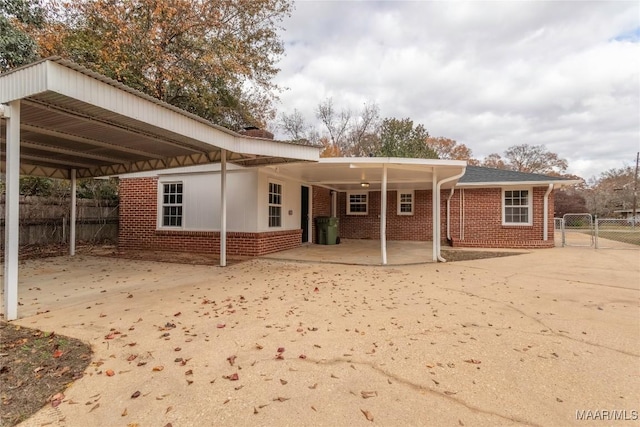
<point>582,230</point>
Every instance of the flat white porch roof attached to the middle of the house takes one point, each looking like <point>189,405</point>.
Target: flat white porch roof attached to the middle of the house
<point>355,173</point>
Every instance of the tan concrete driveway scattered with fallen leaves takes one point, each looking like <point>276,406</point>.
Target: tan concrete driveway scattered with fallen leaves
<point>524,340</point>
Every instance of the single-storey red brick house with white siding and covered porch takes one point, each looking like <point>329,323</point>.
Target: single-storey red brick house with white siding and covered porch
<point>273,208</point>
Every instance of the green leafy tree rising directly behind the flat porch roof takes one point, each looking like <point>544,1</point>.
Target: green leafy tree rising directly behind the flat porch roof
<point>400,138</point>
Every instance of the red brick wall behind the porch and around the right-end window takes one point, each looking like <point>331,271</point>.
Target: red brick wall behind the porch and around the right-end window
<point>482,219</point>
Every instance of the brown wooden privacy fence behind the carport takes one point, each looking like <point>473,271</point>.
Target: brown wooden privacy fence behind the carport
<point>45,220</point>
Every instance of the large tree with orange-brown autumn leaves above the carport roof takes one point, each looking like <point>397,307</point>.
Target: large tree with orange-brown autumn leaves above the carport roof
<point>215,59</point>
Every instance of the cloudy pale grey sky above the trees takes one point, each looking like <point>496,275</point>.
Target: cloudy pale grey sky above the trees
<point>490,75</point>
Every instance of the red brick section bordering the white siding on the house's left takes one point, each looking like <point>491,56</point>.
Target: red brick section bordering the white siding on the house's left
<point>138,219</point>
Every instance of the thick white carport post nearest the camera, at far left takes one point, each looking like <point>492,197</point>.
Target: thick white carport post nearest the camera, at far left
<point>12,211</point>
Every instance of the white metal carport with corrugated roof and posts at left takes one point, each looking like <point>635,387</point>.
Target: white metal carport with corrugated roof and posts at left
<point>65,121</point>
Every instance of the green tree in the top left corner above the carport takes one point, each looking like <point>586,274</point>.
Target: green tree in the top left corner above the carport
<point>17,47</point>
